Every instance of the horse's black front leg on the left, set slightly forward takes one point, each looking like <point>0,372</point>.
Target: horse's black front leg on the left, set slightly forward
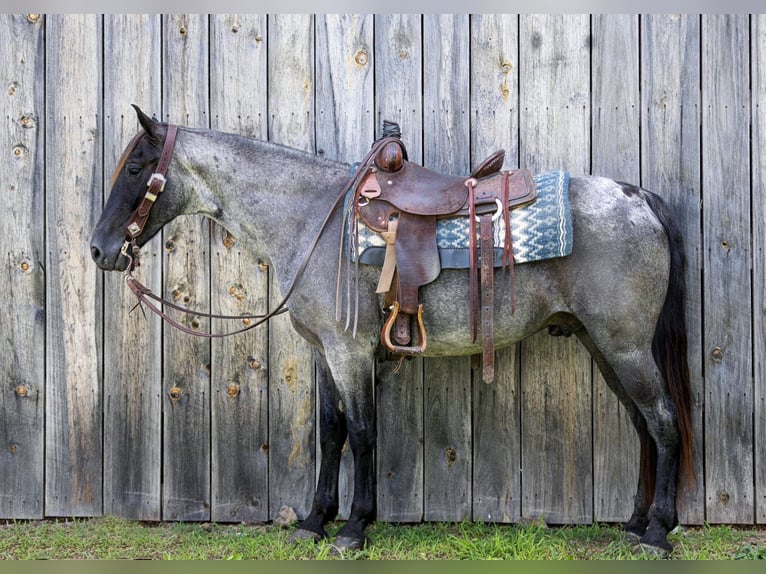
<point>332,437</point>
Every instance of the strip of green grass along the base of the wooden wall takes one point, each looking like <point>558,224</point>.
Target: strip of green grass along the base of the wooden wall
<point>115,538</point>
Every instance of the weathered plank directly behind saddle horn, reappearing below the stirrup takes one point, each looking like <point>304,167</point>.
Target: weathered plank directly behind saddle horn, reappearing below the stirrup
<point>398,97</point>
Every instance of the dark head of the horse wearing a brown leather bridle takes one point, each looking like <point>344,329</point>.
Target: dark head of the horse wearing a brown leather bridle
<point>139,202</point>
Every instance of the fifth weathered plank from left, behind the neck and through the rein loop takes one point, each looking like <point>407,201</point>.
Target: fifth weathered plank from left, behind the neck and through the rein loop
<point>240,381</point>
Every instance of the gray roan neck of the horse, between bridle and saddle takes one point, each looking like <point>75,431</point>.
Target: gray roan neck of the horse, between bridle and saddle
<point>270,196</point>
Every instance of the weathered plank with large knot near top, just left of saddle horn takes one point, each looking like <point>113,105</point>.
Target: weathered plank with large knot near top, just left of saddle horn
<point>344,123</point>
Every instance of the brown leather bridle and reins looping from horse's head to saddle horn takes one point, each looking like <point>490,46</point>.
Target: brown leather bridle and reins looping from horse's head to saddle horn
<point>135,226</point>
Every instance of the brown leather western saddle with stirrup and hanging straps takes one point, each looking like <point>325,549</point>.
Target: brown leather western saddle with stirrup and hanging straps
<point>402,201</point>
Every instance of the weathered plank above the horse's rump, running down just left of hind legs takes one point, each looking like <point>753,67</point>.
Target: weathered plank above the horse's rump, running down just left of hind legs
<point>616,141</point>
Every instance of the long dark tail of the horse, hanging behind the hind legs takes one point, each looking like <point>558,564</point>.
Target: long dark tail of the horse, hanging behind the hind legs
<point>669,346</point>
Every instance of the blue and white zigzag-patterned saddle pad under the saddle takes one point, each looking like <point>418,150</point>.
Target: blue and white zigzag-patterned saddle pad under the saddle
<point>542,230</point>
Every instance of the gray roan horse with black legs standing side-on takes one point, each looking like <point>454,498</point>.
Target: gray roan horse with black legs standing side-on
<point>621,292</point>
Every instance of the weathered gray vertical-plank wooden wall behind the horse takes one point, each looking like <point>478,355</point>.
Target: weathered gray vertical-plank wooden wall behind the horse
<point>103,411</point>
